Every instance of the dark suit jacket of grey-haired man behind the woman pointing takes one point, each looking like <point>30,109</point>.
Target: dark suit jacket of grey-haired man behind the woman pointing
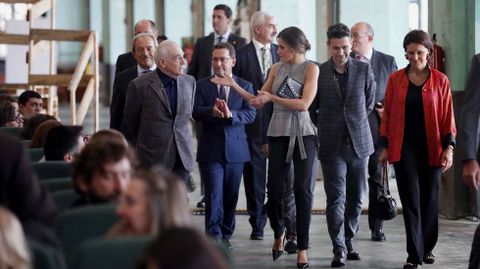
<point>248,68</point>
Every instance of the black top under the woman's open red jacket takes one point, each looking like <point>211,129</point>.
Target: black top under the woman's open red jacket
<point>415,134</point>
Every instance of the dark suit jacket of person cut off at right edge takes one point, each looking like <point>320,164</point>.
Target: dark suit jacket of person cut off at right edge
<point>470,131</point>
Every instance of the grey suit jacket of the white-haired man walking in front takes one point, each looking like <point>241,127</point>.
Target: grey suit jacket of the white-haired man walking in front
<point>148,122</point>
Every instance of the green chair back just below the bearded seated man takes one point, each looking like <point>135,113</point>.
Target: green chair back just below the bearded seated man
<point>83,223</point>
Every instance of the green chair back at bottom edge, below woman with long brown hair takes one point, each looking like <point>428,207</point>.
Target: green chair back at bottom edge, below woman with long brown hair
<point>106,253</point>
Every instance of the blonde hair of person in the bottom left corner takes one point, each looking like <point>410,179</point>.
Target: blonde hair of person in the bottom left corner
<point>13,247</point>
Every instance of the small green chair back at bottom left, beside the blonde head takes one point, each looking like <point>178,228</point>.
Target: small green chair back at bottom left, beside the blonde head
<point>45,257</point>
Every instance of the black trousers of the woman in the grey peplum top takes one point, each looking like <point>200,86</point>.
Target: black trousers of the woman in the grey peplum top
<point>277,177</point>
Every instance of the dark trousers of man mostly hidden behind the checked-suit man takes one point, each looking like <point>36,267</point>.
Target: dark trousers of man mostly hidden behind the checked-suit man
<point>374,174</point>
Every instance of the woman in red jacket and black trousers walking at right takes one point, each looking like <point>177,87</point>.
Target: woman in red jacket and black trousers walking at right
<point>418,136</point>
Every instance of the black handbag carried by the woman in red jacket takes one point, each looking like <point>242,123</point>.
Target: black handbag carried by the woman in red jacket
<point>386,207</point>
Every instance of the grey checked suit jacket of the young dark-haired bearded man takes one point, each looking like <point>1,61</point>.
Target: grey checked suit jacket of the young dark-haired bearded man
<point>336,113</point>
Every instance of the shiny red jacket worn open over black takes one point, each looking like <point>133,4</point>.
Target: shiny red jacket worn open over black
<point>437,108</point>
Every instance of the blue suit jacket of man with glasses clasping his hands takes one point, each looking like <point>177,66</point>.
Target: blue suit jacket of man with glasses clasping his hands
<point>222,140</point>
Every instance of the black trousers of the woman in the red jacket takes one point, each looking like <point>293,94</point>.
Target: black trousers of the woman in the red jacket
<point>418,185</point>
